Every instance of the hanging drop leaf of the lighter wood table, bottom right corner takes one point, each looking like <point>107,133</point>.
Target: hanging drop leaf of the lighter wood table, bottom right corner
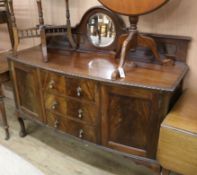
<point>177,151</point>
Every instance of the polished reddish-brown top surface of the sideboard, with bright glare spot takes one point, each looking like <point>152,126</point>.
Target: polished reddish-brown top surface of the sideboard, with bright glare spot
<point>99,66</point>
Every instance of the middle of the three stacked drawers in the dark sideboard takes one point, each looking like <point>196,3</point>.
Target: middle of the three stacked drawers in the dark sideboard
<point>86,112</point>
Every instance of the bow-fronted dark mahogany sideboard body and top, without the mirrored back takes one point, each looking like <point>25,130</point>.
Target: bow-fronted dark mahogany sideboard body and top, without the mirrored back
<point>74,93</point>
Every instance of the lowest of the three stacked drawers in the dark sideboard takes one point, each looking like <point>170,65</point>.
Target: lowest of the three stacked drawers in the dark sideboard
<point>74,128</point>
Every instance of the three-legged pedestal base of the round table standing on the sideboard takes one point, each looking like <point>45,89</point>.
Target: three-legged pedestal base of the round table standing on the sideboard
<point>131,41</point>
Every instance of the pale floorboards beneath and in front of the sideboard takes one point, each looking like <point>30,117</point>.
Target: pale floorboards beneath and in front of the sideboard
<point>66,153</point>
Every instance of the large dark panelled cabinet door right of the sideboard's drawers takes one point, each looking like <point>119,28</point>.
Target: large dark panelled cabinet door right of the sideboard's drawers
<point>130,120</point>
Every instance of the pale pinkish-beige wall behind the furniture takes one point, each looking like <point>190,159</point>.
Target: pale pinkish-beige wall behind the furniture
<point>178,17</point>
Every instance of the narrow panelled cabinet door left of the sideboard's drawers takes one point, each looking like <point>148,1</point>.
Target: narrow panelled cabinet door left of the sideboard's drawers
<point>27,90</point>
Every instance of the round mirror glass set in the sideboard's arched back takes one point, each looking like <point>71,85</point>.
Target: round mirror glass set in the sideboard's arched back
<point>101,30</point>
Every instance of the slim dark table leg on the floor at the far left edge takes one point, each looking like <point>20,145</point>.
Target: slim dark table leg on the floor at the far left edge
<point>3,115</point>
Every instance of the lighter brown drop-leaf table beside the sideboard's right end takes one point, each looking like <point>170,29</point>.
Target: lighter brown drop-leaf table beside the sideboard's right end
<point>177,150</point>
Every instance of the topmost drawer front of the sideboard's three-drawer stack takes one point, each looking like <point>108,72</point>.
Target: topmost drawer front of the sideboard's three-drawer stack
<point>77,88</point>
